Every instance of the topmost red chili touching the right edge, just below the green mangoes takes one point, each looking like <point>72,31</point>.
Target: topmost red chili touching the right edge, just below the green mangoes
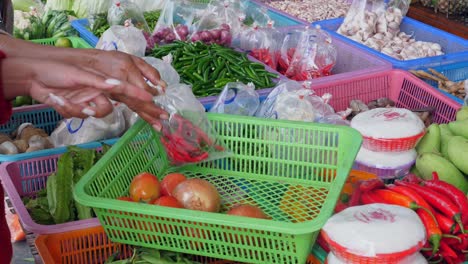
<point>453,193</point>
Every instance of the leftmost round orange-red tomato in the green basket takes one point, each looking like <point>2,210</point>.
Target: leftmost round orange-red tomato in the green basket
<point>144,187</point>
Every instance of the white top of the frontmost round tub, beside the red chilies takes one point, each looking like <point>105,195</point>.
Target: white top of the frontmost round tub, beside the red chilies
<point>373,229</point>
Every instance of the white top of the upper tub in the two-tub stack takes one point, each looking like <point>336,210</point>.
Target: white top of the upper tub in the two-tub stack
<point>388,123</point>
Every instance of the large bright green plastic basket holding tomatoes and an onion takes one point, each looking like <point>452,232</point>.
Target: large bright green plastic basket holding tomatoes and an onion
<point>294,171</point>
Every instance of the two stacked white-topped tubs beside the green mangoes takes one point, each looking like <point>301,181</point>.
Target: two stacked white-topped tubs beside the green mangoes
<point>389,138</point>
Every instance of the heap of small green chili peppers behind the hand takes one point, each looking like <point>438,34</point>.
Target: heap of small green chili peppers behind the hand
<point>208,68</point>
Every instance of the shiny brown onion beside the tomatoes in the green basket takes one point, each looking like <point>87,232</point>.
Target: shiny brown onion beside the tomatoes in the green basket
<point>198,194</point>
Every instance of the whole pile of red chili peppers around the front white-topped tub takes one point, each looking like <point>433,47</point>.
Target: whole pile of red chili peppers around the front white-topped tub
<point>442,208</point>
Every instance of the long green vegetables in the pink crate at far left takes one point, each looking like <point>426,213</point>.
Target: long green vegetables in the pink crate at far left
<point>55,204</point>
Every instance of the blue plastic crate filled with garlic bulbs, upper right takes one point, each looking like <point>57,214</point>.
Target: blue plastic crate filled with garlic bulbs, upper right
<point>455,48</point>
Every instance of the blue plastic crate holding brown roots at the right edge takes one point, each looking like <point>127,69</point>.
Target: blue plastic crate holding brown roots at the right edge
<point>455,72</point>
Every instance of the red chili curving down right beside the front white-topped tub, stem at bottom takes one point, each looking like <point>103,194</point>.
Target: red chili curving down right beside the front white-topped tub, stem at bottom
<point>434,234</point>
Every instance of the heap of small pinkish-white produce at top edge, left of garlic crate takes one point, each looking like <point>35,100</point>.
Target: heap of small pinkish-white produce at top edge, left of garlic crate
<point>311,10</point>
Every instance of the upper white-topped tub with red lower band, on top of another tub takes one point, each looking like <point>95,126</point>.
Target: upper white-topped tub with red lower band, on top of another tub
<point>389,129</point>
